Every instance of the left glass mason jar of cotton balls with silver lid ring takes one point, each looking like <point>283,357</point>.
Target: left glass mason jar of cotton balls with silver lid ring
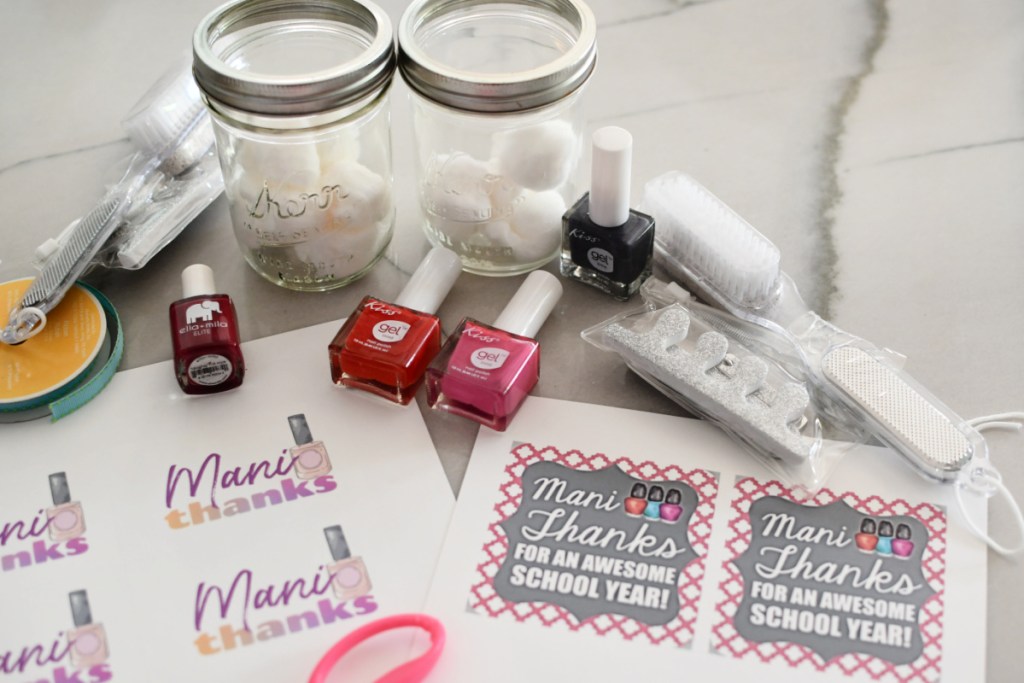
<point>298,96</point>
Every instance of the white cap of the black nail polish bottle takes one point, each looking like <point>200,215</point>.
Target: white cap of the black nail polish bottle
<point>610,177</point>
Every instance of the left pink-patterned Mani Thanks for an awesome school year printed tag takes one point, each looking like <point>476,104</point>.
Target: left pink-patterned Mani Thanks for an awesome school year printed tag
<point>595,544</point>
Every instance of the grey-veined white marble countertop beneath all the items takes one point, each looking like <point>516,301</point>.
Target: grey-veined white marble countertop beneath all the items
<point>879,144</point>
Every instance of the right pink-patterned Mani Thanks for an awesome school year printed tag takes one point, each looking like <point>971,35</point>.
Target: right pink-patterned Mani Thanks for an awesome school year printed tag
<point>840,583</point>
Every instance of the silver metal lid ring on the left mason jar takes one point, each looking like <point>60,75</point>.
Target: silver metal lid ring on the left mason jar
<point>351,44</point>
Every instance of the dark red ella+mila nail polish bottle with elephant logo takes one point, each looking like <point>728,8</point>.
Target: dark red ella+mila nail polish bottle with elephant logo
<point>205,336</point>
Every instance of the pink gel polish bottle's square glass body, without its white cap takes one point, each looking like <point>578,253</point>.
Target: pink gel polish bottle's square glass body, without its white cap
<point>484,373</point>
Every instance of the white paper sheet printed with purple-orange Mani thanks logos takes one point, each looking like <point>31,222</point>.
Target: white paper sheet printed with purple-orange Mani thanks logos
<point>158,537</point>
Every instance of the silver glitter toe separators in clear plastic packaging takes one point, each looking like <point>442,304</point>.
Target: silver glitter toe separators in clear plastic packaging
<point>739,376</point>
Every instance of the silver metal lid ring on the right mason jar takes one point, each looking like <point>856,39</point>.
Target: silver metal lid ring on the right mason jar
<point>511,92</point>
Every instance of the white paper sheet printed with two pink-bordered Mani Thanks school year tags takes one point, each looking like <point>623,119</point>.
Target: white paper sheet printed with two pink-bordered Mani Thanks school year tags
<point>592,543</point>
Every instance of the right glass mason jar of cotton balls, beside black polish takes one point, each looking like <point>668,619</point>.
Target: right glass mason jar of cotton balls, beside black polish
<point>498,122</point>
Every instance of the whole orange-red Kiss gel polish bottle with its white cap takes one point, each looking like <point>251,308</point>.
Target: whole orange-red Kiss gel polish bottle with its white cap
<point>385,349</point>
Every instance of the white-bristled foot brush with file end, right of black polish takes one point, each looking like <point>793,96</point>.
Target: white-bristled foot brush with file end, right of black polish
<point>732,266</point>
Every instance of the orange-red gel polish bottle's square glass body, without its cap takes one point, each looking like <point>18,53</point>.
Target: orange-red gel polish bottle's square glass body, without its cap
<point>385,350</point>
